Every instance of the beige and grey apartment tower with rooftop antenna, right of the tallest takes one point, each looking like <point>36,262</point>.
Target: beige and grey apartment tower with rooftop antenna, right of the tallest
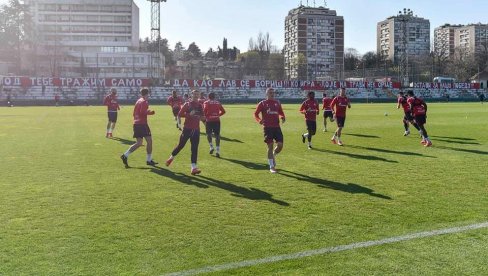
<point>404,33</point>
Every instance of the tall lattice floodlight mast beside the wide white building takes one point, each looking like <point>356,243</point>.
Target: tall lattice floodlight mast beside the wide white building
<point>155,65</point>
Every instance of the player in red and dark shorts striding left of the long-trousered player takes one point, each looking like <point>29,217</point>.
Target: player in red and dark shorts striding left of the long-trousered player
<point>141,129</point>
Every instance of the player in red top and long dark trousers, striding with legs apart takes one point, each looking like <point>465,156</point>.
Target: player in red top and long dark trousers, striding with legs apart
<point>192,111</point>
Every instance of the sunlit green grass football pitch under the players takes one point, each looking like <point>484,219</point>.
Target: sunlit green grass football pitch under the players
<point>69,207</point>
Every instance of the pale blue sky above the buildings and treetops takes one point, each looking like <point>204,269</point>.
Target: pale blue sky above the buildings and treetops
<point>207,22</point>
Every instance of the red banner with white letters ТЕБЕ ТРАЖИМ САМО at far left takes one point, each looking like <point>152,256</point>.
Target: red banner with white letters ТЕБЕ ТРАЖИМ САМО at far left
<point>74,82</point>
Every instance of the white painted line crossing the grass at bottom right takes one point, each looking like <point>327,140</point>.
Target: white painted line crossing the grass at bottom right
<point>322,251</point>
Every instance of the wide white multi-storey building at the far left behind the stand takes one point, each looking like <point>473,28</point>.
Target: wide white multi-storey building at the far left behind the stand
<point>89,38</point>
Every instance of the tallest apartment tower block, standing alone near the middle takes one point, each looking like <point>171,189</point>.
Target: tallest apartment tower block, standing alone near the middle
<point>314,43</point>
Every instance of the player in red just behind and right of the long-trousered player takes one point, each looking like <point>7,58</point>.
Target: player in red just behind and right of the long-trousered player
<point>213,109</point>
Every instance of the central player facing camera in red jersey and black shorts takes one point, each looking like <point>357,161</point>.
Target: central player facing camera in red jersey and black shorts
<point>271,112</point>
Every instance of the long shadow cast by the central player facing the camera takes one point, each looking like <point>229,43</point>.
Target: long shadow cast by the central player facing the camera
<point>323,183</point>
